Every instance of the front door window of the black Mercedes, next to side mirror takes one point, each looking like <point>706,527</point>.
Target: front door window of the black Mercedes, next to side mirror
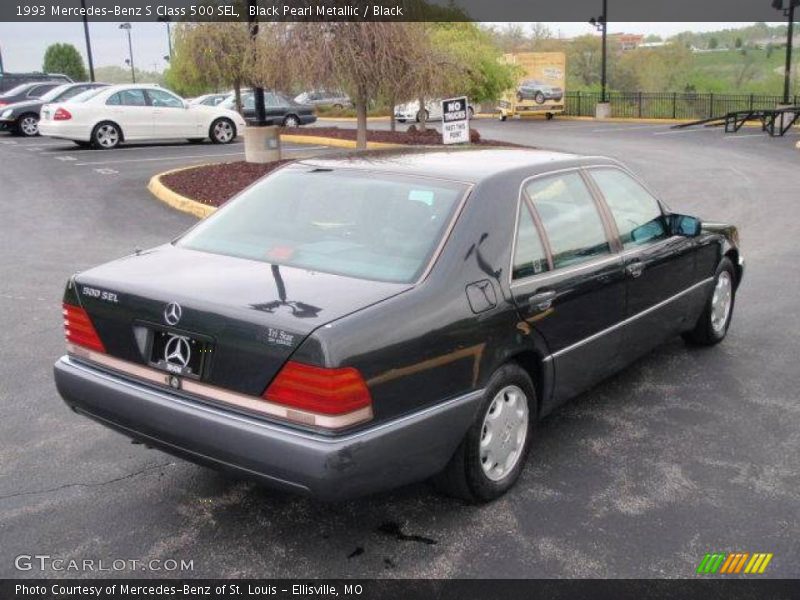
<point>637,214</point>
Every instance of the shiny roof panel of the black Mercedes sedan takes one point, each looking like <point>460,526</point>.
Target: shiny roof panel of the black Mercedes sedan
<point>461,164</point>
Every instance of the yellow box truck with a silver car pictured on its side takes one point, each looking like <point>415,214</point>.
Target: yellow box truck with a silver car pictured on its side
<point>541,85</point>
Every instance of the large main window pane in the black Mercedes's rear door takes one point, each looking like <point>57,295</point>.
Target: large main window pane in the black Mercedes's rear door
<point>570,219</point>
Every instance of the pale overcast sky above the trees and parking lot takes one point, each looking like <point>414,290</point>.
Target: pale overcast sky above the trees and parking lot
<point>23,44</point>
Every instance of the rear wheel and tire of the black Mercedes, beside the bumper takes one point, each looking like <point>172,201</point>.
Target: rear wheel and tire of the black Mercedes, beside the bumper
<point>492,454</point>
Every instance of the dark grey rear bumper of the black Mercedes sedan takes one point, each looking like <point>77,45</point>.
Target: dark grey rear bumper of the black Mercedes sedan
<point>328,467</point>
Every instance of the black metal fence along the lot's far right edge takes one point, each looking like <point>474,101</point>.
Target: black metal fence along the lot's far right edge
<point>669,105</point>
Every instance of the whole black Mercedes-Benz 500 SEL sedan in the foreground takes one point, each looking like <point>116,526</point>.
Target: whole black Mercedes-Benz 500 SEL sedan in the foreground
<point>351,324</point>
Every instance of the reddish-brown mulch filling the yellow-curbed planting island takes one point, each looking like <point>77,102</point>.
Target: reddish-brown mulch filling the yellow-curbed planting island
<point>215,184</point>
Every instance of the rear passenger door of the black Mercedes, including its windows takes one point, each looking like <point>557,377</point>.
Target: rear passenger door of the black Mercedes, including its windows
<point>567,279</point>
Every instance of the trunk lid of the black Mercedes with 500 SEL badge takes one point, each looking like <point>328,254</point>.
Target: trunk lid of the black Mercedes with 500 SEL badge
<point>241,319</point>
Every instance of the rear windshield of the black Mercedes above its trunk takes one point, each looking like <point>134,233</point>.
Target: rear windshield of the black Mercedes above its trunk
<point>357,224</point>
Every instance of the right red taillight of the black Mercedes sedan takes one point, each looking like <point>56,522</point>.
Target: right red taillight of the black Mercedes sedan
<point>320,390</point>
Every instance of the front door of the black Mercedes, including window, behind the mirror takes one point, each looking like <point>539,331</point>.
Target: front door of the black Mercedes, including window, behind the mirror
<point>659,267</point>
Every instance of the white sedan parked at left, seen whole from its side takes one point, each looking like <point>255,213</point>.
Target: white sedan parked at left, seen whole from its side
<point>119,113</point>
